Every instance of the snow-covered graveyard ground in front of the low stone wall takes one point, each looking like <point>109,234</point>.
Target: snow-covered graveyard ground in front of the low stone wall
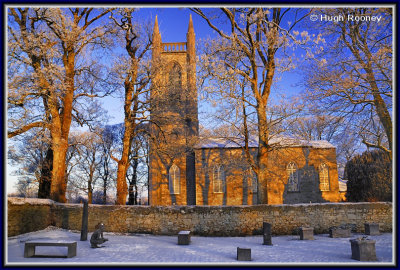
<point>143,249</point>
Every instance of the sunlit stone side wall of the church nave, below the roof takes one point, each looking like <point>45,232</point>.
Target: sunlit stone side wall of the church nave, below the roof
<point>238,185</point>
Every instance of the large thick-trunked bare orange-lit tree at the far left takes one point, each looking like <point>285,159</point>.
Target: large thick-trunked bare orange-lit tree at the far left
<point>51,44</point>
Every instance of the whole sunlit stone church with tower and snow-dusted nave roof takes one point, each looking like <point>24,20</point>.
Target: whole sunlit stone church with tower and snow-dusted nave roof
<point>185,169</point>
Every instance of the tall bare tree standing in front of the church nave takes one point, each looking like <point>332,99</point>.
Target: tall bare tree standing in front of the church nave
<point>258,38</point>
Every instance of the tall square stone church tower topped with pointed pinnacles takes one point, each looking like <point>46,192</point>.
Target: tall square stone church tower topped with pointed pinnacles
<point>174,118</point>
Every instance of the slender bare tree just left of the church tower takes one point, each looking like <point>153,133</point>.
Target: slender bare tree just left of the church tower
<point>133,73</point>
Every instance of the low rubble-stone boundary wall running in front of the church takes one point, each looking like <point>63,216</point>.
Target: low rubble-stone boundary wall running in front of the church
<point>25,215</point>
